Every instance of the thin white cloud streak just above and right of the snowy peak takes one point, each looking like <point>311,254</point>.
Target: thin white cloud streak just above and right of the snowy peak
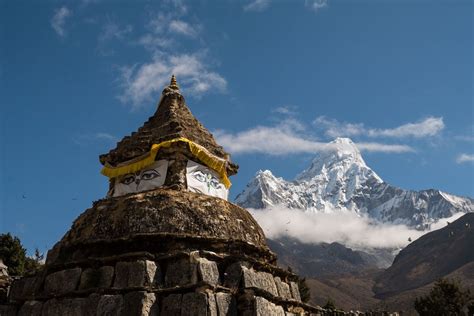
<point>428,127</point>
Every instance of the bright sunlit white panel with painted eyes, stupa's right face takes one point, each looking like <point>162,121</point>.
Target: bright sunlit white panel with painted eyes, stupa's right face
<point>203,180</point>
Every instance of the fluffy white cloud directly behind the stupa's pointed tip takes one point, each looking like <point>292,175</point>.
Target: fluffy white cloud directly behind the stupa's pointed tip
<point>141,83</point>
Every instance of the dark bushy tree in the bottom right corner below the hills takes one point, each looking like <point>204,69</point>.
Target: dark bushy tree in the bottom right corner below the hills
<point>445,298</point>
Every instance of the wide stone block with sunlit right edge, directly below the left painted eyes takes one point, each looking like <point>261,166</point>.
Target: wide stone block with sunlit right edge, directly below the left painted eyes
<point>140,273</point>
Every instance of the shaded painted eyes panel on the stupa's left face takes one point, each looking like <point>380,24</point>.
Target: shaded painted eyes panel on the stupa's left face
<point>148,178</point>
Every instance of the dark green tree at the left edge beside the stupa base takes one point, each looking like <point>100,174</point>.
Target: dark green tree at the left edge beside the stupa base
<point>13,254</point>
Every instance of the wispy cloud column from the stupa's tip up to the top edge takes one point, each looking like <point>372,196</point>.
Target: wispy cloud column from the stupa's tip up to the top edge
<point>143,82</point>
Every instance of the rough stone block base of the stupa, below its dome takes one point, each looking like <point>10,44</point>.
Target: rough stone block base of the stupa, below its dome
<point>186,283</point>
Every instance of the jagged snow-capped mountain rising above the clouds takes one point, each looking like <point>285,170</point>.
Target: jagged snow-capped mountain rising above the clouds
<point>339,180</point>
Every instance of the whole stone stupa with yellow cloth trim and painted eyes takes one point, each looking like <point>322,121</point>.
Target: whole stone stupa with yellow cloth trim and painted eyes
<point>165,240</point>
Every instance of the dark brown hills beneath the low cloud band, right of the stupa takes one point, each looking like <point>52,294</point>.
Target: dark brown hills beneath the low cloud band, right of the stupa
<point>353,281</point>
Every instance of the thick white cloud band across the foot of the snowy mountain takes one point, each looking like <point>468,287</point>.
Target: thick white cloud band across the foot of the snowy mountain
<point>340,226</point>
